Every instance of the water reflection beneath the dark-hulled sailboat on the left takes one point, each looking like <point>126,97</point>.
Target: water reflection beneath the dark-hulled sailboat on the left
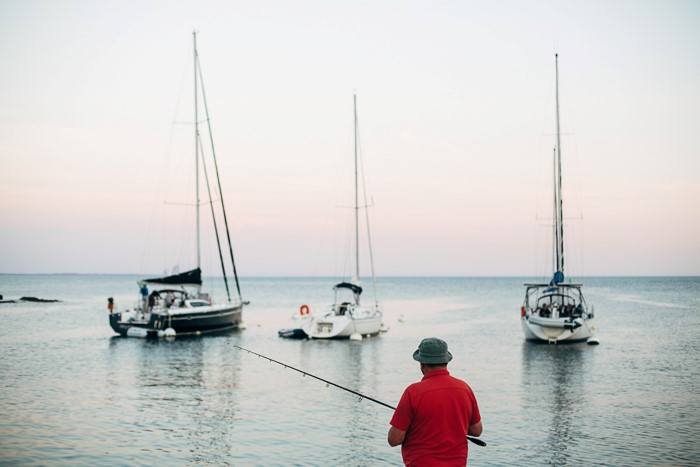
<point>179,396</point>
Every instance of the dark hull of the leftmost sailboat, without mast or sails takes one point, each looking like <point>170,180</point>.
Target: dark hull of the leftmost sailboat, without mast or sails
<point>183,322</point>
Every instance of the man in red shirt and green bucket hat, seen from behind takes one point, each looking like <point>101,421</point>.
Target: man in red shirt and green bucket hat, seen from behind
<point>435,415</point>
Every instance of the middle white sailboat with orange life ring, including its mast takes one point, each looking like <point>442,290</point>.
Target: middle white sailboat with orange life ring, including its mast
<point>347,317</point>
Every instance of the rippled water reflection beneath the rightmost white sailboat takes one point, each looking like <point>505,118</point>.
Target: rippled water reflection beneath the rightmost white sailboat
<point>554,388</point>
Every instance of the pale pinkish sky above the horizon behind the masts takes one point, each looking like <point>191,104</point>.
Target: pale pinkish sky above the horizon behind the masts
<point>456,115</point>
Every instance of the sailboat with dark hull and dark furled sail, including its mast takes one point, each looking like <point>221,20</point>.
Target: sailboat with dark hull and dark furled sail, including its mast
<point>176,304</point>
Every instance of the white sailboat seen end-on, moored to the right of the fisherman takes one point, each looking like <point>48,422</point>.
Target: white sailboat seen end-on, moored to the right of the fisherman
<point>557,311</point>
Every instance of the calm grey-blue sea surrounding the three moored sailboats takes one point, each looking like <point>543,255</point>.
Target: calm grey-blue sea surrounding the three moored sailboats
<point>73,393</point>
